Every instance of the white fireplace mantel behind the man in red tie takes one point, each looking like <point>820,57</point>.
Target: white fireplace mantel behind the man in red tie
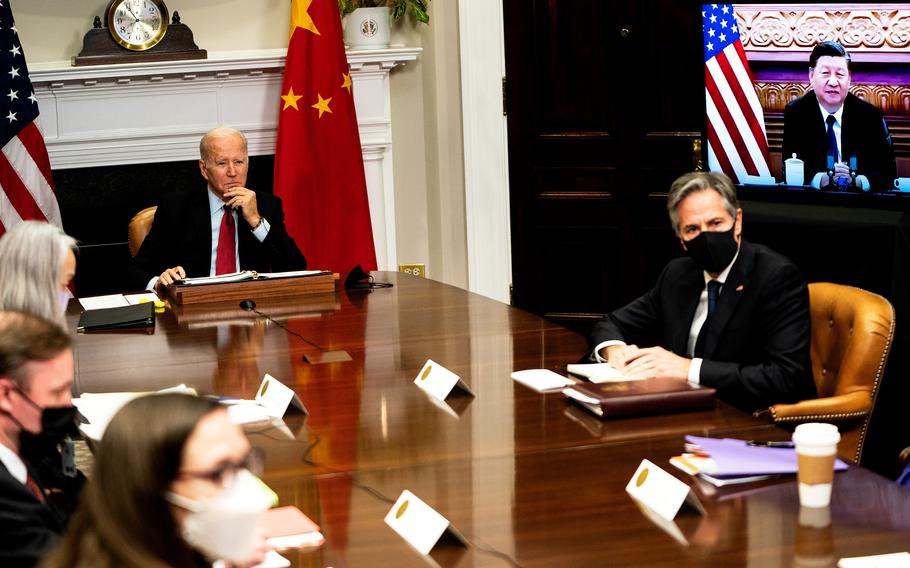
<point>108,115</point>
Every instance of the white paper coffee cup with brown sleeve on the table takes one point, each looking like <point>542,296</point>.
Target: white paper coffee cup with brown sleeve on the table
<point>816,450</point>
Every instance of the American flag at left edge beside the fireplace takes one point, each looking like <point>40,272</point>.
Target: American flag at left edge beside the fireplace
<point>26,186</point>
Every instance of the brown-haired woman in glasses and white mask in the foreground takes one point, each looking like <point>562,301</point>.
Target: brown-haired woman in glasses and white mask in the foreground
<point>171,487</point>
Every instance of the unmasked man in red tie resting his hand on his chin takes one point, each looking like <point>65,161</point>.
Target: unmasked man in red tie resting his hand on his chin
<point>192,236</point>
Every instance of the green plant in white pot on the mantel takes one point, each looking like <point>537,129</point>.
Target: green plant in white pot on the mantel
<point>368,22</point>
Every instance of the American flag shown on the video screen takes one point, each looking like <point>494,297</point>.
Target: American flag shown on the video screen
<point>737,142</point>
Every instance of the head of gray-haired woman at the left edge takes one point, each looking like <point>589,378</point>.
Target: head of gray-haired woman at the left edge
<point>37,263</point>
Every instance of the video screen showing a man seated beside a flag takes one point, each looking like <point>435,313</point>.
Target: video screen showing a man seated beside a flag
<point>809,97</point>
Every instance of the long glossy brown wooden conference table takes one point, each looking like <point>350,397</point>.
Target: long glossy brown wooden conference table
<point>529,479</point>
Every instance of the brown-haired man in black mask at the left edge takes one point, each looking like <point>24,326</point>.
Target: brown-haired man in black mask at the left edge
<point>36,413</point>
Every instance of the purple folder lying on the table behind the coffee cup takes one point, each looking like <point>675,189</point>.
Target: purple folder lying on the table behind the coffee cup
<point>734,458</point>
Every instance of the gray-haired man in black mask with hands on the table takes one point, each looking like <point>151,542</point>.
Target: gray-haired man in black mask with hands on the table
<point>731,315</point>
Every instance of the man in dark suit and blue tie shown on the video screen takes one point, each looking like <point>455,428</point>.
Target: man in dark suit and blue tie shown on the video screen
<point>830,121</point>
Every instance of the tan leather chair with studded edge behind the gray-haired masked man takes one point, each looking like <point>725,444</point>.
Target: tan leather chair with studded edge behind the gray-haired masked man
<point>852,330</point>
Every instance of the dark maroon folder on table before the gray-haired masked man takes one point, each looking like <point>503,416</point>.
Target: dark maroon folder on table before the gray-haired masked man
<point>639,398</point>
